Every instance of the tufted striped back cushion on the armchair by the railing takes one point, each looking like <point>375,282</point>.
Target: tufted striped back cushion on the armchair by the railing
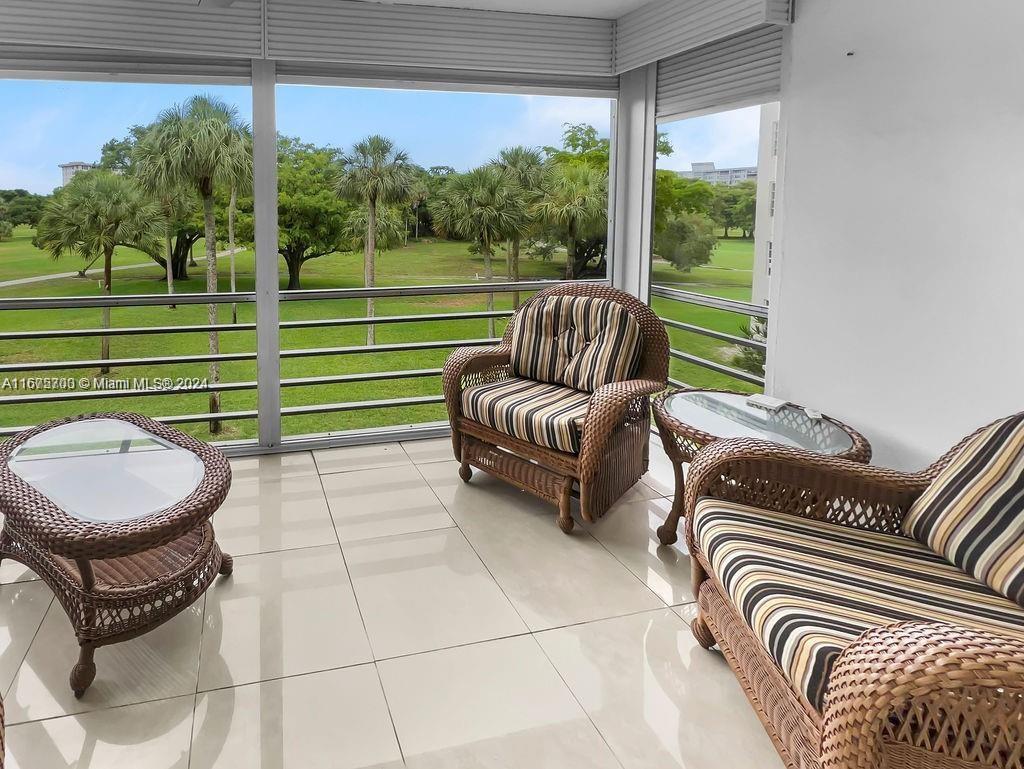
<point>581,343</point>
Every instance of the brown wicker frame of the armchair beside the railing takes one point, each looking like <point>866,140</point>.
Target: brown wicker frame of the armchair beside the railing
<point>614,441</point>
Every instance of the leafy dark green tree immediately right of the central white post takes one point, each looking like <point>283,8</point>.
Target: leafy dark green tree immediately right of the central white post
<point>312,221</point>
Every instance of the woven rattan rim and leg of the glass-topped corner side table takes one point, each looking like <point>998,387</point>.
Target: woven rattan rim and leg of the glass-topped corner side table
<point>682,442</point>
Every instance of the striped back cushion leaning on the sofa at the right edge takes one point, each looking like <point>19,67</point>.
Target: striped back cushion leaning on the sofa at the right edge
<point>973,512</point>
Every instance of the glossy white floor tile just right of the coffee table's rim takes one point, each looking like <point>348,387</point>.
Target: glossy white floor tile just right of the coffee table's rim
<point>274,512</point>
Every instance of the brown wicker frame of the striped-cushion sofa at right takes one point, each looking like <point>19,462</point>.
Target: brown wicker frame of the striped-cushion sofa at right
<point>913,694</point>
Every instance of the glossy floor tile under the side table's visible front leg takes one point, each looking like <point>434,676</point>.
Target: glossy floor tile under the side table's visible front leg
<point>629,531</point>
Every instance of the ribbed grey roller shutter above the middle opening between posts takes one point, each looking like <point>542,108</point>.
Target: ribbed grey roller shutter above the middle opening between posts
<point>361,33</point>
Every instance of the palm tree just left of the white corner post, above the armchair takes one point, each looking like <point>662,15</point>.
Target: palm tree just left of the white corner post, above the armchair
<point>576,200</point>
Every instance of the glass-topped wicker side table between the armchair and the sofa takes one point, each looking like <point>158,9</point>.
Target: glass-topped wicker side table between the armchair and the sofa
<point>690,419</point>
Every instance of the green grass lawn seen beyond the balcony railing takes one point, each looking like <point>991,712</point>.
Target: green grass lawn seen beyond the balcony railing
<point>423,263</point>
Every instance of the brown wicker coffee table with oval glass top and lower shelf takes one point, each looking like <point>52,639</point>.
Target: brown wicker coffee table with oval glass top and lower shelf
<point>112,511</point>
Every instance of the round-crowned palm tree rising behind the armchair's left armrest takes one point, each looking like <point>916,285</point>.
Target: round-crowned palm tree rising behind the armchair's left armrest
<point>487,207</point>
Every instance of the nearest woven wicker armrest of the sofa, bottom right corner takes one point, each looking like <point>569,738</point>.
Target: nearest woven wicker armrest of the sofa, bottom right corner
<point>937,688</point>
